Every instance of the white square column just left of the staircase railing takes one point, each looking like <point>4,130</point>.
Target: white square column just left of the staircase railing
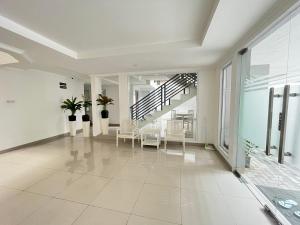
<point>123,97</point>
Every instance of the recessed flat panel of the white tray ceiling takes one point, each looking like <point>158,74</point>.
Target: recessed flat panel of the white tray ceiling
<point>95,24</point>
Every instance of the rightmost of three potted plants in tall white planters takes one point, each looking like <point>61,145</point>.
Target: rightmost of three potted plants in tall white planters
<point>104,101</point>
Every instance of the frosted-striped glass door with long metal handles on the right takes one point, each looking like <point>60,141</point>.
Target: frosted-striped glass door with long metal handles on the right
<point>269,131</point>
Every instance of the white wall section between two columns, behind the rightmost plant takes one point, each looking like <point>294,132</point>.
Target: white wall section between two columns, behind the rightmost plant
<point>112,91</point>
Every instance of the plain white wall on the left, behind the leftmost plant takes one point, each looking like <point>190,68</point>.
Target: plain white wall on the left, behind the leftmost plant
<point>30,105</point>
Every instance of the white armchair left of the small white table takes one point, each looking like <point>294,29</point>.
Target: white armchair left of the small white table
<point>127,130</point>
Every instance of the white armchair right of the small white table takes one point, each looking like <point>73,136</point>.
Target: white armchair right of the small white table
<point>175,132</point>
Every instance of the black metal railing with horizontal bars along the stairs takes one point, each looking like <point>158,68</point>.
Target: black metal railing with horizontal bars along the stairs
<point>161,96</point>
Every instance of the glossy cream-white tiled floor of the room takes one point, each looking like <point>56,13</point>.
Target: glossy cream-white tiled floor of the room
<point>83,181</point>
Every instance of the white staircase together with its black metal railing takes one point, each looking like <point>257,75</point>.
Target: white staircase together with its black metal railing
<point>161,100</point>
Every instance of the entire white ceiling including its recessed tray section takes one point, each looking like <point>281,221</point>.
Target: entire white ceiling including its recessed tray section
<point>100,36</point>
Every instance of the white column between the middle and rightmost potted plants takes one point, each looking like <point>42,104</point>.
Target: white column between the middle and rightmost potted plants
<point>95,90</point>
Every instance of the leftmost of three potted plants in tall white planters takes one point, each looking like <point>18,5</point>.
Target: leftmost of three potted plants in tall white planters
<point>72,105</point>
